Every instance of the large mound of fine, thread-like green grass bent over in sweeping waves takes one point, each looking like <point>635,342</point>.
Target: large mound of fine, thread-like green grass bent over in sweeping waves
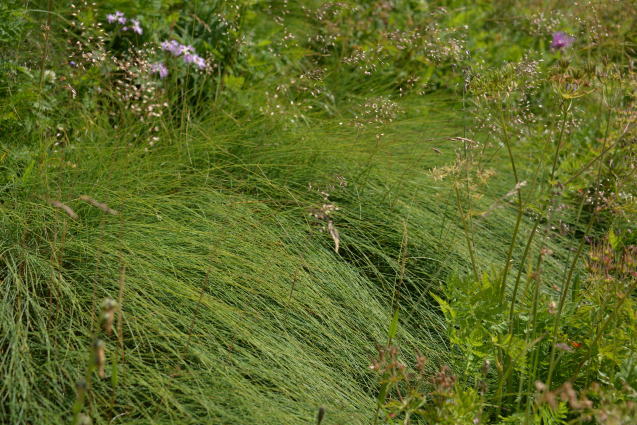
<point>236,308</point>
